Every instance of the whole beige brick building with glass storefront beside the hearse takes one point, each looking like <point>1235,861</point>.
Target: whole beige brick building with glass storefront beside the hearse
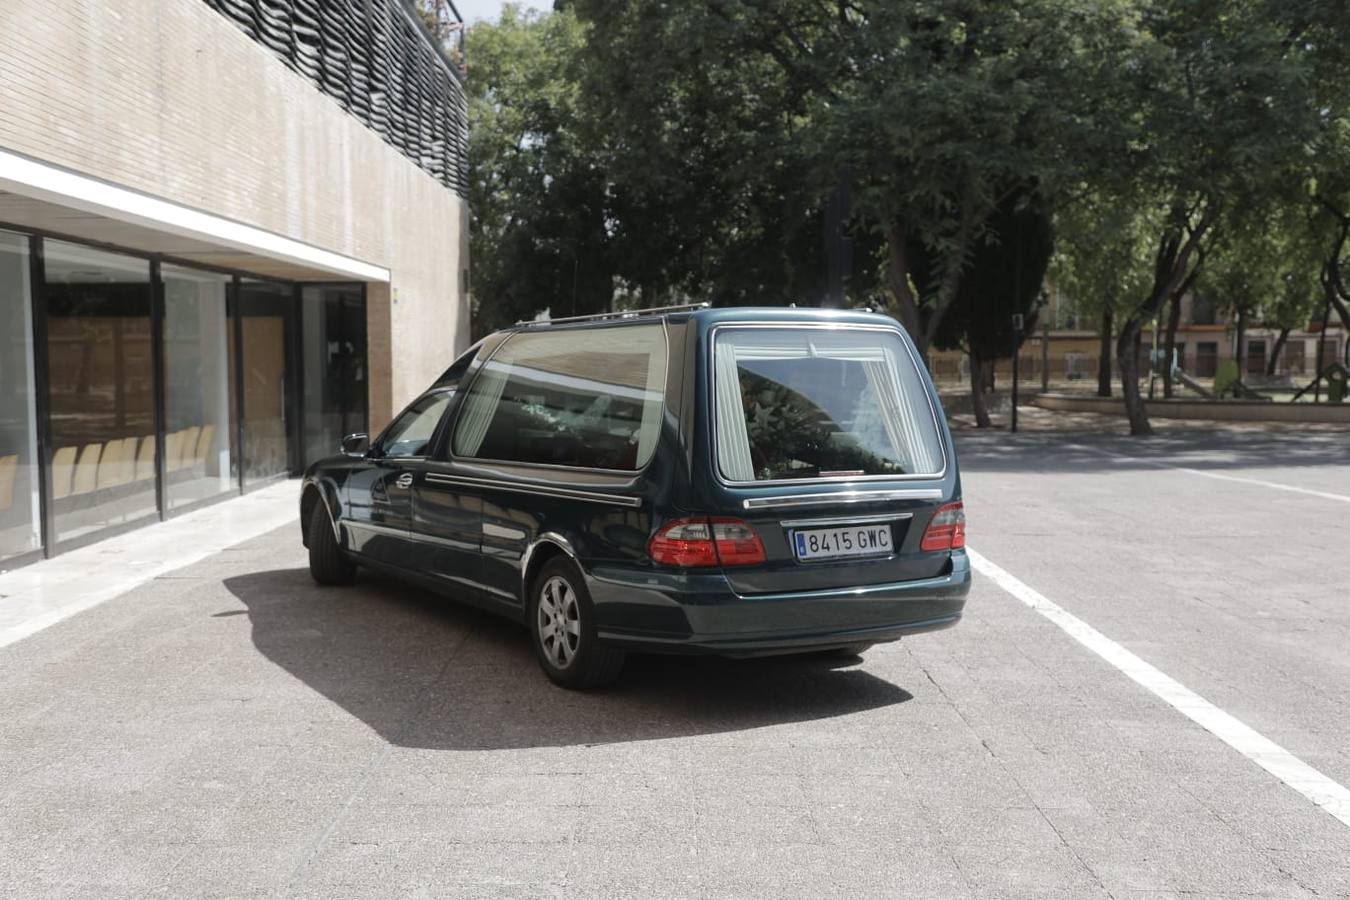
<point>230,233</point>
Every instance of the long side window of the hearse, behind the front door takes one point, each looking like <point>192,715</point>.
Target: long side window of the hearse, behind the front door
<point>588,399</point>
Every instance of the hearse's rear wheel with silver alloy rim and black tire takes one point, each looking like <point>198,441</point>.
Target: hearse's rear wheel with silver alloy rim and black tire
<point>562,629</point>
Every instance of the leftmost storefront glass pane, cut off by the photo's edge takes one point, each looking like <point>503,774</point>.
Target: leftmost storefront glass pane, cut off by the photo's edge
<point>21,512</point>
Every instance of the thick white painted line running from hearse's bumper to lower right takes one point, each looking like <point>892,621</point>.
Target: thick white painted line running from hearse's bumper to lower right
<point>1297,774</point>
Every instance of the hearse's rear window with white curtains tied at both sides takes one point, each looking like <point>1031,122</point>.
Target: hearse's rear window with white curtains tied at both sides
<point>820,403</point>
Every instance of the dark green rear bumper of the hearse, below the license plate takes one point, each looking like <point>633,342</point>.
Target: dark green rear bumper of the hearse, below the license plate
<point>701,615</point>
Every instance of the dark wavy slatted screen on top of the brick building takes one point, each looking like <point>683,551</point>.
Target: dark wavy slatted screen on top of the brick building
<point>373,59</point>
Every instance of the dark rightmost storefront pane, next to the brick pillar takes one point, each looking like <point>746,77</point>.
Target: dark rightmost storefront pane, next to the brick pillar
<point>334,329</point>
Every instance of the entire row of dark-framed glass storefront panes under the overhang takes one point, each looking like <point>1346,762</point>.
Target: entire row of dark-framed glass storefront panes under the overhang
<point>254,377</point>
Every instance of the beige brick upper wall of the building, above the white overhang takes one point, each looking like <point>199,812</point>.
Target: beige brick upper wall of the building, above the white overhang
<point>171,99</point>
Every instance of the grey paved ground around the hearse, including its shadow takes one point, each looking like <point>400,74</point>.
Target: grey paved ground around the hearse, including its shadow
<point>232,731</point>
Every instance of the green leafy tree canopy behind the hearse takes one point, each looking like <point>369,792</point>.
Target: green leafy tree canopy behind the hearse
<point>643,152</point>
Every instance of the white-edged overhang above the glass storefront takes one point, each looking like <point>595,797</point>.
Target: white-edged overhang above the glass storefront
<point>55,200</point>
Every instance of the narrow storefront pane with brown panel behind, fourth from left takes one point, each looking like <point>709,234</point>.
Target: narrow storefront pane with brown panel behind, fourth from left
<point>267,311</point>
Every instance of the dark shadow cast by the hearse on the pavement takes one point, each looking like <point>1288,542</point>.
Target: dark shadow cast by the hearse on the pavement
<point>427,673</point>
